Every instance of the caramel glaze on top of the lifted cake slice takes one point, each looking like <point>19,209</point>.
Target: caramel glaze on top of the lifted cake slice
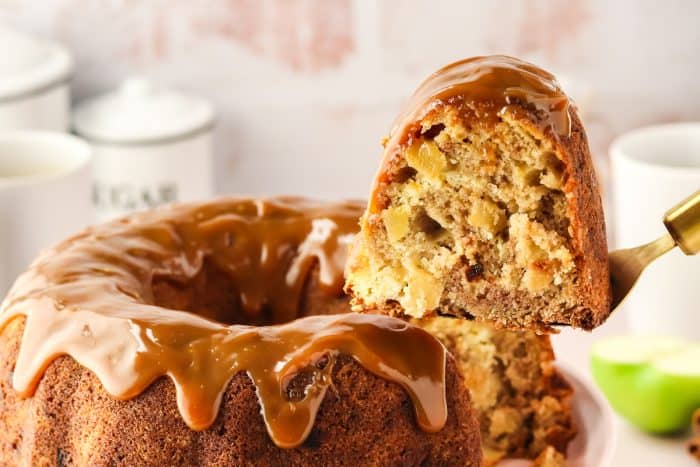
<point>483,90</point>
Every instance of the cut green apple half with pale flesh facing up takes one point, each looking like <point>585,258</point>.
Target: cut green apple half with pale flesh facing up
<point>654,382</point>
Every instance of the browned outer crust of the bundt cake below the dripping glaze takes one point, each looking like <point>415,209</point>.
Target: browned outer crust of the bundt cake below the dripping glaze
<point>364,420</point>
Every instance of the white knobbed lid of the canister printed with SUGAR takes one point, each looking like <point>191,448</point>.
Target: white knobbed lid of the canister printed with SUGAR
<point>141,112</point>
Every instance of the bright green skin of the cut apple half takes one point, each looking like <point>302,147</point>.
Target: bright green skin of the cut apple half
<point>655,401</point>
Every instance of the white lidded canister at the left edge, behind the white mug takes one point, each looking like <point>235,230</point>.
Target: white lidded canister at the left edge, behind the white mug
<point>34,75</point>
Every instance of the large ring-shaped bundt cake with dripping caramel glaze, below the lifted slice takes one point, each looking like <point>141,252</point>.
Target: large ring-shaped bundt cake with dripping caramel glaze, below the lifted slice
<point>181,337</point>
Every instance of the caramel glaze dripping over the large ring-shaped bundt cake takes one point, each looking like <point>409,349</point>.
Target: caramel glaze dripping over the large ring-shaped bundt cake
<point>91,297</point>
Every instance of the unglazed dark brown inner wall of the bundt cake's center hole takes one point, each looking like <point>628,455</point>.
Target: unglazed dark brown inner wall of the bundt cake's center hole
<point>214,294</point>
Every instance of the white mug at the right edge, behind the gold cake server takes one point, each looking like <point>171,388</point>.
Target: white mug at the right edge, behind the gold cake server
<point>653,169</point>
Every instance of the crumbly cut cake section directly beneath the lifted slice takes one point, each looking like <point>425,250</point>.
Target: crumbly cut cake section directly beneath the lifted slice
<point>522,402</point>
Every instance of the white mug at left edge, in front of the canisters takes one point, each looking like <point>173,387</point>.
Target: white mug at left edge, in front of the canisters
<point>45,181</point>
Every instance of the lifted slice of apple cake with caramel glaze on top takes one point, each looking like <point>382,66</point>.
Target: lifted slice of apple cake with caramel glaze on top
<point>486,205</point>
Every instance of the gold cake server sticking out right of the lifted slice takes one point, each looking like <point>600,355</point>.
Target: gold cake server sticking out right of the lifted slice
<point>683,225</point>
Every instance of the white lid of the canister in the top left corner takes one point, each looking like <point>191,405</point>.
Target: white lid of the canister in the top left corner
<point>29,65</point>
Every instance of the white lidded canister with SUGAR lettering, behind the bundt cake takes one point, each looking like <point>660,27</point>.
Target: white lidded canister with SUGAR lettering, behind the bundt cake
<point>151,145</point>
